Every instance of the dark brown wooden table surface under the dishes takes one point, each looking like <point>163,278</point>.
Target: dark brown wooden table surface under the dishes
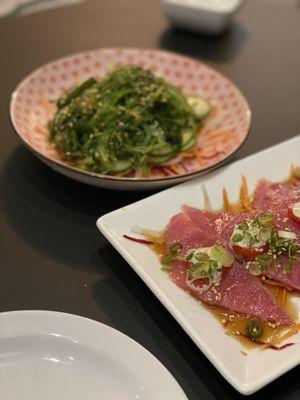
<point>52,256</point>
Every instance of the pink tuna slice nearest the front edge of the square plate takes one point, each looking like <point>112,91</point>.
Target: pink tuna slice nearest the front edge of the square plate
<point>240,292</point>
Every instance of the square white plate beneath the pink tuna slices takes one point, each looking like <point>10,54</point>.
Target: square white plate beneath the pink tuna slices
<point>246,374</point>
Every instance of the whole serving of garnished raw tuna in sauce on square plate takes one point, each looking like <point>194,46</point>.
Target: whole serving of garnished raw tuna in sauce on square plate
<point>242,262</point>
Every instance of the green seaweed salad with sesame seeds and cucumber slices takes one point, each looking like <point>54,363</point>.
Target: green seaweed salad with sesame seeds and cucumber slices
<point>130,119</point>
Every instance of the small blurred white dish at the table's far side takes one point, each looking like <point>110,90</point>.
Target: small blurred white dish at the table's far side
<point>211,16</point>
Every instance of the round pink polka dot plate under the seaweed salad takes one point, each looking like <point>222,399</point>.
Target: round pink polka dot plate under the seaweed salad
<point>223,133</point>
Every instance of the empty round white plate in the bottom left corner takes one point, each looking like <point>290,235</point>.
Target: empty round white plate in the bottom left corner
<point>50,355</point>
